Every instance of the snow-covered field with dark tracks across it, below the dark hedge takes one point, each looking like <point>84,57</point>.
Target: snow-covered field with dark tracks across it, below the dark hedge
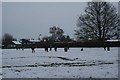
<point>89,63</point>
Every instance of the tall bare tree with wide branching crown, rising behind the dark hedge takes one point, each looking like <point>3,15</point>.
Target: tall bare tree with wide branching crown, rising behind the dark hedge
<point>100,22</point>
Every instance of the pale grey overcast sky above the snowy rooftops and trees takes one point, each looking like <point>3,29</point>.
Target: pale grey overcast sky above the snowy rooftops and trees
<point>29,19</point>
